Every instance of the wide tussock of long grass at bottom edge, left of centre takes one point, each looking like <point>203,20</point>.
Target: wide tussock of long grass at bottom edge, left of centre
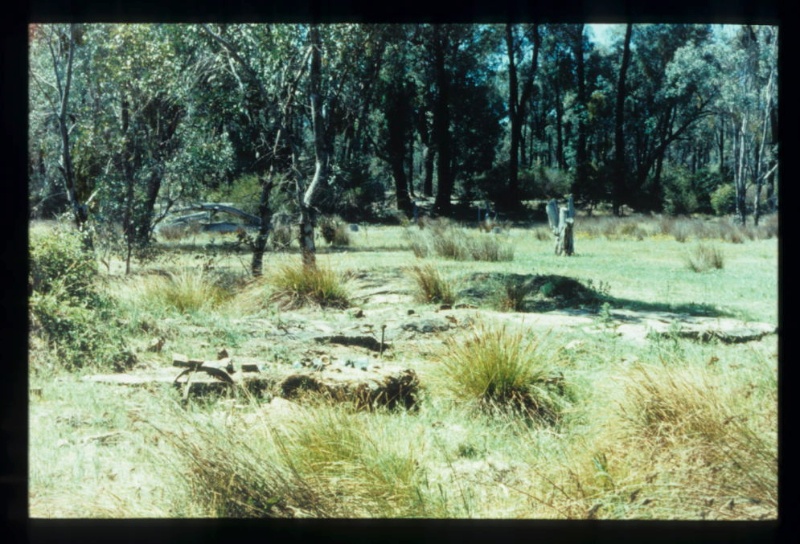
<point>325,461</point>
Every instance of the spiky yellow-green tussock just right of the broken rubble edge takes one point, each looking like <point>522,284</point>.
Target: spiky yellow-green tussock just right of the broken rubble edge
<point>502,370</point>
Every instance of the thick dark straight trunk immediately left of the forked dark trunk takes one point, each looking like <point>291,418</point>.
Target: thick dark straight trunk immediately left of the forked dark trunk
<point>441,126</point>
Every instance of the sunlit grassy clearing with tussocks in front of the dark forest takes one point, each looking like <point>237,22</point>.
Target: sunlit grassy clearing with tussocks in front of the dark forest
<point>667,429</point>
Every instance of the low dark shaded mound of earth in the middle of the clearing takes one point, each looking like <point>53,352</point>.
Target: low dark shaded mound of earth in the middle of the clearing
<point>539,293</point>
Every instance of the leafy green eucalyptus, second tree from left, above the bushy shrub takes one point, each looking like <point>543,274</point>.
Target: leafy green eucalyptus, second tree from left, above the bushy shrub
<point>158,147</point>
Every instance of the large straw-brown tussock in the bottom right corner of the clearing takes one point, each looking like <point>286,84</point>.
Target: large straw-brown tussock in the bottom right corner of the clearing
<point>712,422</point>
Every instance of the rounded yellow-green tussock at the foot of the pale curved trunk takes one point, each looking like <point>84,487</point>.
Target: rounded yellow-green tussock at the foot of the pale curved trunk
<point>295,285</point>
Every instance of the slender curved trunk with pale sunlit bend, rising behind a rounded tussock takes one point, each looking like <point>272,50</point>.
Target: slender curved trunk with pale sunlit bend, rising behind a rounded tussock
<point>307,211</point>
